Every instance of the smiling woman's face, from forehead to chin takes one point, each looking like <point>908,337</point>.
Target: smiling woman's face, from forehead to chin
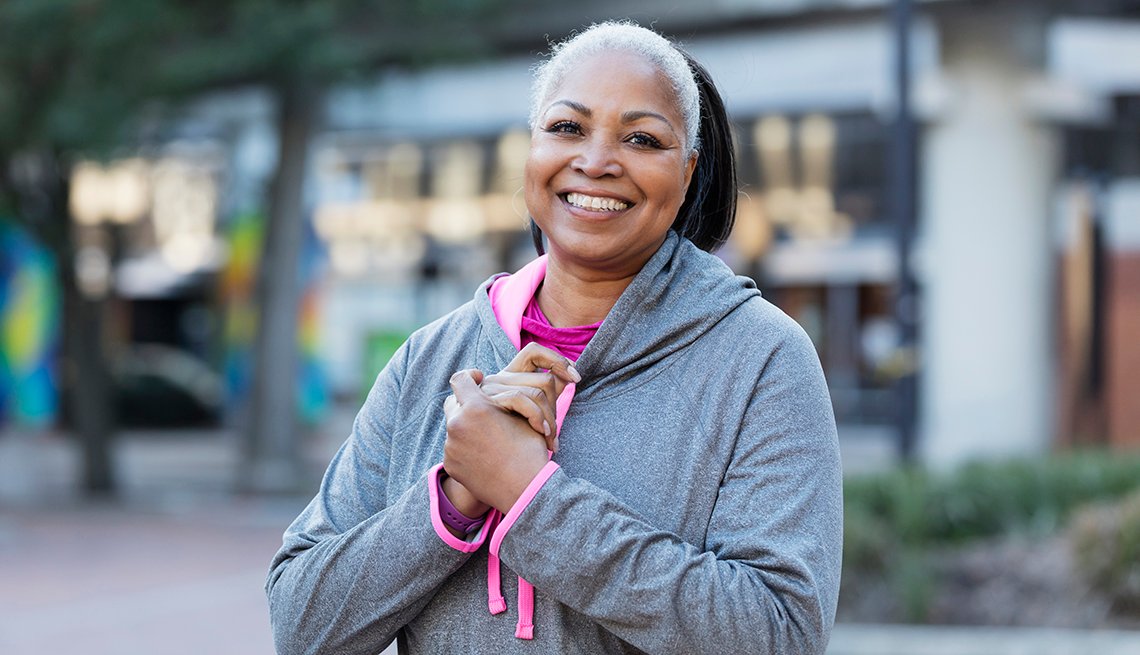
<point>608,167</point>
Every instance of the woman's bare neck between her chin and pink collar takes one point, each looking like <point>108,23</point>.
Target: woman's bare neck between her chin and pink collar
<point>571,299</point>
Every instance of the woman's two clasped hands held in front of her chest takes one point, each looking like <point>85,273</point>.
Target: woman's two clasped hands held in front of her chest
<point>500,429</point>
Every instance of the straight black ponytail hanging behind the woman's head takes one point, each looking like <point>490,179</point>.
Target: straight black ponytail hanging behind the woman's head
<point>710,210</point>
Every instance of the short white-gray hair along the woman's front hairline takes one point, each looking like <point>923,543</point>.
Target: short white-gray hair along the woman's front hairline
<point>623,37</point>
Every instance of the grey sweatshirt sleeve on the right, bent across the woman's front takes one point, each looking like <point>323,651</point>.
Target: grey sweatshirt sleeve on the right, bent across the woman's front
<point>768,577</point>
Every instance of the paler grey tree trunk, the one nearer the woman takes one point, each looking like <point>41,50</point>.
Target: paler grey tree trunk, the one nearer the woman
<point>273,458</point>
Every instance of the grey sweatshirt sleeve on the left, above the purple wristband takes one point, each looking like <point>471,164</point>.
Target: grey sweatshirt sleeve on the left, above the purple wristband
<point>357,566</point>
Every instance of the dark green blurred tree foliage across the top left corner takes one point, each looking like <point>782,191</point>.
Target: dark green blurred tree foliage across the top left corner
<point>74,72</point>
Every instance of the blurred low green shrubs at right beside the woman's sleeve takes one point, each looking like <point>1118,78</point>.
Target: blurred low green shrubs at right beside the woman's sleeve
<point>894,521</point>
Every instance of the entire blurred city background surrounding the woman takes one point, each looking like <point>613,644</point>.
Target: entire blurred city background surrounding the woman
<point>219,219</point>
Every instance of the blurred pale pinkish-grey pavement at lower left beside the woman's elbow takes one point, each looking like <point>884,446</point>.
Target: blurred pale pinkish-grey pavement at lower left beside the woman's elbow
<point>109,580</point>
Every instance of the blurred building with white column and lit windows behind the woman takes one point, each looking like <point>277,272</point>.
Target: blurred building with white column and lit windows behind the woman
<point>1028,183</point>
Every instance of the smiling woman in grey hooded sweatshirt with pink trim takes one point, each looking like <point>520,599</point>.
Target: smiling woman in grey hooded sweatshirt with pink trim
<point>693,503</point>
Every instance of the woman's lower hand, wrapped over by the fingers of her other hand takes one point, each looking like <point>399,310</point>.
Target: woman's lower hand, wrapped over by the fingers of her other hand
<point>494,455</point>
